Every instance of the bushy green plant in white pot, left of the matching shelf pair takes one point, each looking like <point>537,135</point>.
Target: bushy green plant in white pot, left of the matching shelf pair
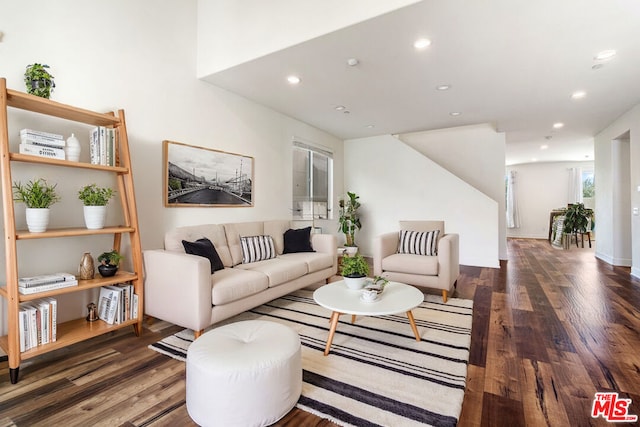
<point>38,196</point>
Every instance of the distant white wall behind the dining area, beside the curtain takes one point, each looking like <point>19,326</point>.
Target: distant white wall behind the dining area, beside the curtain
<point>542,187</point>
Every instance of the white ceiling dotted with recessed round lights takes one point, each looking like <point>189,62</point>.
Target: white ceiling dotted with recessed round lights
<point>512,63</point>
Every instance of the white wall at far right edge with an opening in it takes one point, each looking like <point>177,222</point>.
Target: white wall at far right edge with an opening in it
<point>610,203</point>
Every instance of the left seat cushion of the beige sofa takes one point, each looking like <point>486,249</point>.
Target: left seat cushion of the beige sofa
<point>232,284</point>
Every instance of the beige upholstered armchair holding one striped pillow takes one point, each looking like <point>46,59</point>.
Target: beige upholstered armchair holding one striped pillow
<point>419,254</point>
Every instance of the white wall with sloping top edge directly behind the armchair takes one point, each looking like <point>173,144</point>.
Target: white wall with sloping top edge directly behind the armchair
<point>395,182</point>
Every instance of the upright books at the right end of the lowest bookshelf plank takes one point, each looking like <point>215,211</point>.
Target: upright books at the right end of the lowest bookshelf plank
<point>117,303</point>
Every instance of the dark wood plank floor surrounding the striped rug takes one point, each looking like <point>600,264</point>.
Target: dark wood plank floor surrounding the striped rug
<point>550,329</point>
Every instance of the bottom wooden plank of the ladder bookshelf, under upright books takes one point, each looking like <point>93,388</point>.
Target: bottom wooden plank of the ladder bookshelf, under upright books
<point>69,333</point>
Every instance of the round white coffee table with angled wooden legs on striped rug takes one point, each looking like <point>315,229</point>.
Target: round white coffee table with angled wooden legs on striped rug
<point>396,298</point>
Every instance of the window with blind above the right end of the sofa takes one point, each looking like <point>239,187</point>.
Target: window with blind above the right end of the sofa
<point>312,182</point>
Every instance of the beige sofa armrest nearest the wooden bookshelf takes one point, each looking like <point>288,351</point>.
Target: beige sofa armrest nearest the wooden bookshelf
<point>177,288</point>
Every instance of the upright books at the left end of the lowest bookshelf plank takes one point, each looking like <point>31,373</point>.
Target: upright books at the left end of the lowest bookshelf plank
<point>38,322</point>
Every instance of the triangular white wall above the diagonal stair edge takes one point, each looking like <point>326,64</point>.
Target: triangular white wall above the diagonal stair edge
<point>476,154</point>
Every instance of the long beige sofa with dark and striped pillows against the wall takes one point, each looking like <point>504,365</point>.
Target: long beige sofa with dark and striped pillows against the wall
<point>181,289</point>
